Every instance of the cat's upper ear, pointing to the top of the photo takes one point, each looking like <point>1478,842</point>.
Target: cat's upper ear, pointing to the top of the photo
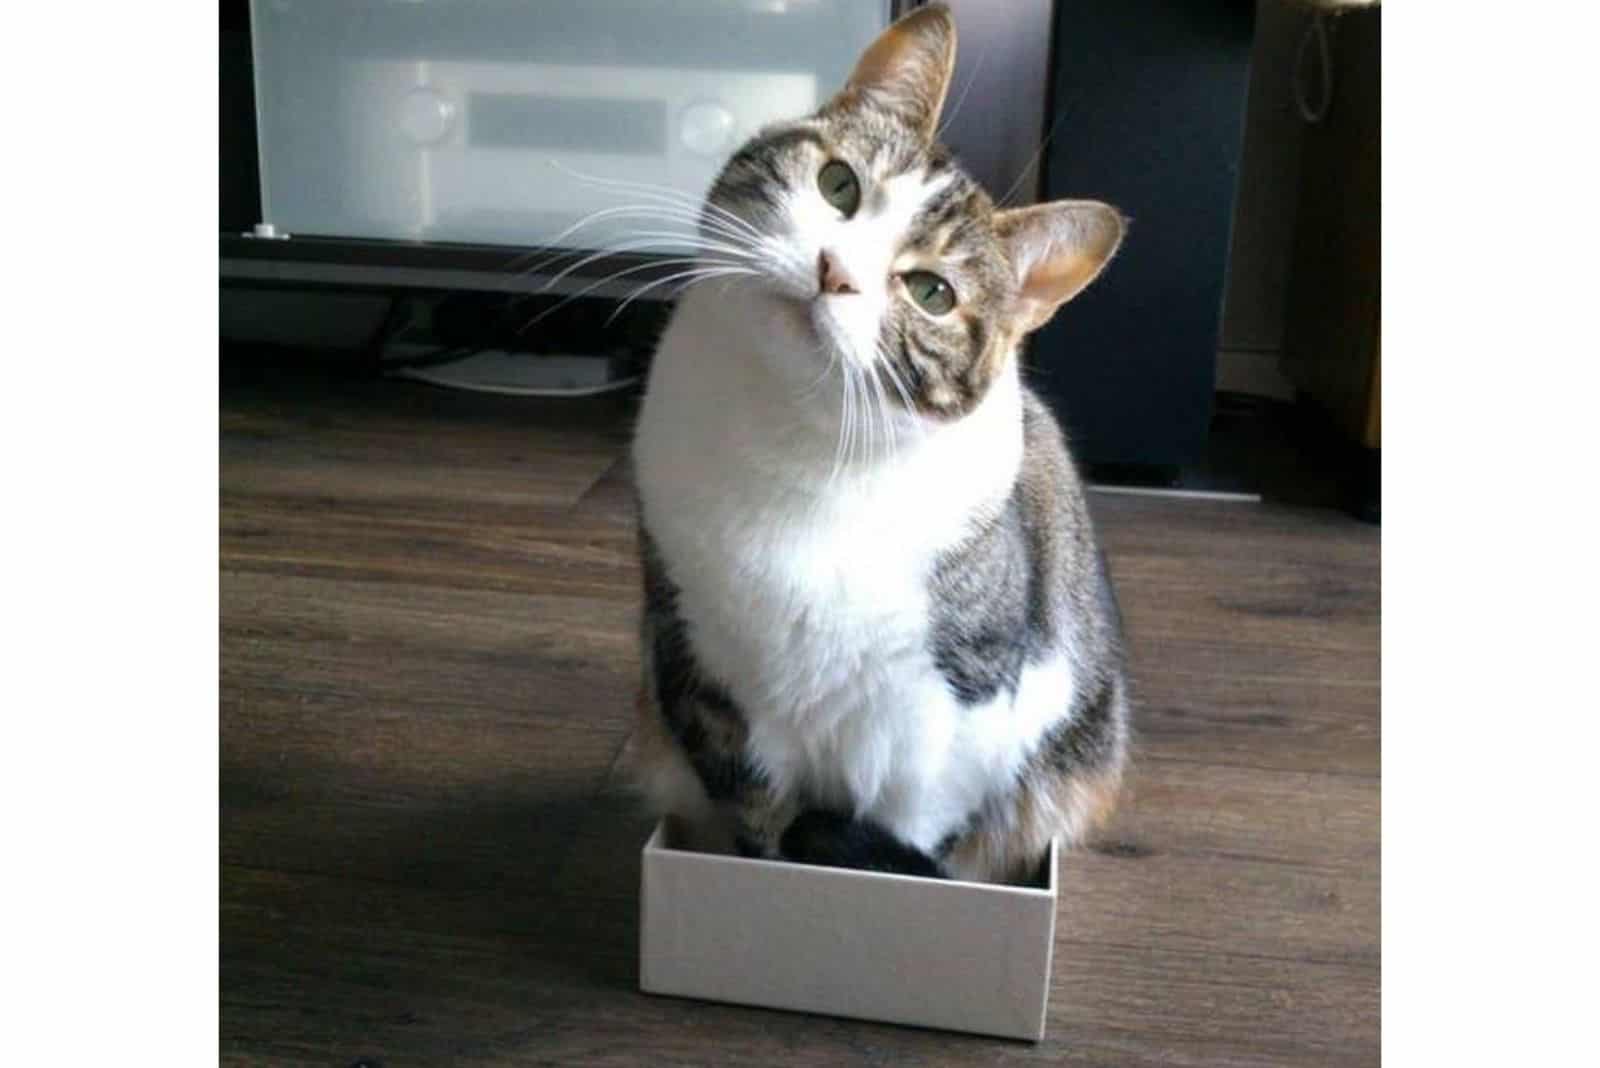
<point>906,71</point>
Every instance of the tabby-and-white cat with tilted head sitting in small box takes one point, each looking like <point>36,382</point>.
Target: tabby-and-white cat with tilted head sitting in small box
<point>878,632</point>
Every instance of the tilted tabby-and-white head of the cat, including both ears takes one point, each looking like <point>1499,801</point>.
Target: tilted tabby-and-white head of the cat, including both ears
<point>874,247</point>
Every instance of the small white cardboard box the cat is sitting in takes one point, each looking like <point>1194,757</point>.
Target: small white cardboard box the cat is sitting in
<point>964,957</point>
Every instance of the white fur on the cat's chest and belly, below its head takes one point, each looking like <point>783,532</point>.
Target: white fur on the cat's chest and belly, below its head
<point>809,597</point>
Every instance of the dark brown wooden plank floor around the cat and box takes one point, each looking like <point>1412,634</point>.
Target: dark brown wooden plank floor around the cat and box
<point>430,856</point>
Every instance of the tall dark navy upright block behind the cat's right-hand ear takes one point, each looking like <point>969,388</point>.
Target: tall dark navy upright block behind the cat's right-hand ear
<point>1146,113</point>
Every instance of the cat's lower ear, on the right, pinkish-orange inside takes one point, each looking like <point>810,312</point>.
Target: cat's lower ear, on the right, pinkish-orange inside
<point>1057,250</point>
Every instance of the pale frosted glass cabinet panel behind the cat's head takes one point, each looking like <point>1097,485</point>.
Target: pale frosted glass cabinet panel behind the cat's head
<point>511,122</point>
